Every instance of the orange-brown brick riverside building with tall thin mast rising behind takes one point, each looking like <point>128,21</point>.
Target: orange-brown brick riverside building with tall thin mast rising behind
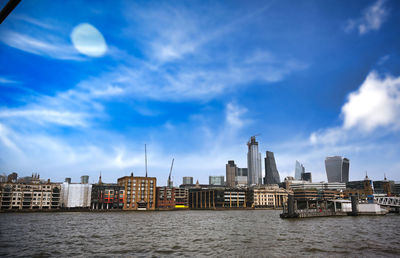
<point>140,192</point>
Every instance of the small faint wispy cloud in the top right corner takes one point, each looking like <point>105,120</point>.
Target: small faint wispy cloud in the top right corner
<point>372,18</point>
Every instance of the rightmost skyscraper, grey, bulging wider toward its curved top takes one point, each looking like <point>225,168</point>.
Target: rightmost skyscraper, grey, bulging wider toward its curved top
<point>337,169</point>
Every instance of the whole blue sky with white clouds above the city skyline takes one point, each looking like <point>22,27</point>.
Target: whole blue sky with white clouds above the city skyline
<point>84,85</point>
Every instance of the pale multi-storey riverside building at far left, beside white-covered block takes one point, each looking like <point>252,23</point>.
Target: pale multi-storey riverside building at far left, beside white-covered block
<point>33,196</point>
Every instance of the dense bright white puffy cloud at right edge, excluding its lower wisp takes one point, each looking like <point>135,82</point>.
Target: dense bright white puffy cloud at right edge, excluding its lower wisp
<point>375,104</point>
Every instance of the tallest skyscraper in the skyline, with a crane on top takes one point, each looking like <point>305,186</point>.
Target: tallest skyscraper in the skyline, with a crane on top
<point>254,163</point>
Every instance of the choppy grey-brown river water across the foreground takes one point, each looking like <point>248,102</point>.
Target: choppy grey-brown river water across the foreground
<point>241,233</point>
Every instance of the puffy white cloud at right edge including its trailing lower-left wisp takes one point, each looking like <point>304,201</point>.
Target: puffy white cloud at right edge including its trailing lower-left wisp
<point>376,104</point>
